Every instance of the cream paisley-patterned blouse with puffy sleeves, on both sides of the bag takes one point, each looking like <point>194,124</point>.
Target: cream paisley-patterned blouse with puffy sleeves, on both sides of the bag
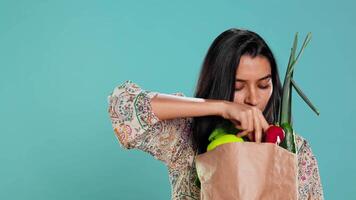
<point>136,126</point>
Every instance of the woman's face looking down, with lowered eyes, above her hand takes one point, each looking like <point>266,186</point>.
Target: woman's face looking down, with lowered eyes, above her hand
<point>253,84</point>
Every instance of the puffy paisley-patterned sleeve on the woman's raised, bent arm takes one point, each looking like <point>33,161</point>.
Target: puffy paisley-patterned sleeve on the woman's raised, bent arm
<point>136,126</point>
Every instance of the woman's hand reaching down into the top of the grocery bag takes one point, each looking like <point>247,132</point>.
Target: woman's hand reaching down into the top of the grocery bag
<point>249,119</point>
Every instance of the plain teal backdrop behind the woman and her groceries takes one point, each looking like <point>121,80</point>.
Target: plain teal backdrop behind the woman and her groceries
<point>59,60</point>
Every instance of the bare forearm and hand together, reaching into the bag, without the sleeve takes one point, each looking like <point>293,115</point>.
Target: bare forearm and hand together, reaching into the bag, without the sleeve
<point>247,118</point>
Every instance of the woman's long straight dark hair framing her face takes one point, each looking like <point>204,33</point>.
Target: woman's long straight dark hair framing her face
<point>217,78</point>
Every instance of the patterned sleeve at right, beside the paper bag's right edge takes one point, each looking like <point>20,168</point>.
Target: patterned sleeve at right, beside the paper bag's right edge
<point>309,177</point>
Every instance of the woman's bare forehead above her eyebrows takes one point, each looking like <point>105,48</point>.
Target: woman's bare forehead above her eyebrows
<point>252,69</point>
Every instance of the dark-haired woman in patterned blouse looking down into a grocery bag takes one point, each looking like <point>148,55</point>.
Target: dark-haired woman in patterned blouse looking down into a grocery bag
<point>239,82</point>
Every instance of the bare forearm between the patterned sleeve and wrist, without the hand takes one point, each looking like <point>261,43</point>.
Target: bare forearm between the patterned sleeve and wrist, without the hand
<point>166,106</point>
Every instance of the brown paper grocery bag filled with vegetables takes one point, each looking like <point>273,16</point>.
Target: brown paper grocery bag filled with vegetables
<point>247,171</point>
